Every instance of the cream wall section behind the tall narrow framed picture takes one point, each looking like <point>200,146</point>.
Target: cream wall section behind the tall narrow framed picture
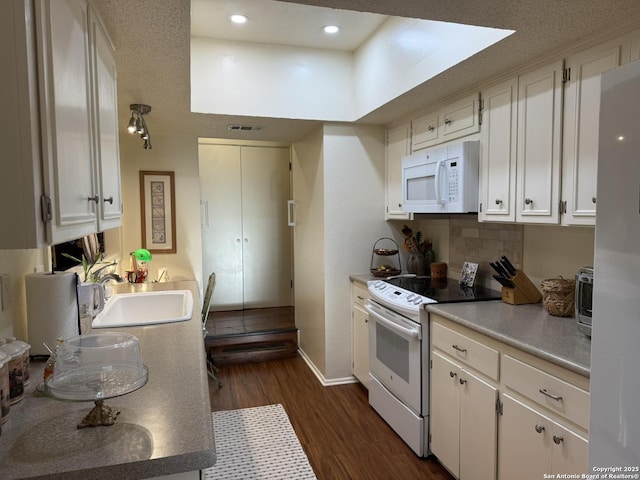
<point>169,153</point>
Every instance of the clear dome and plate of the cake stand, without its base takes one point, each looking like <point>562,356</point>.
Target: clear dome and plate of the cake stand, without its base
<point>97,366</point>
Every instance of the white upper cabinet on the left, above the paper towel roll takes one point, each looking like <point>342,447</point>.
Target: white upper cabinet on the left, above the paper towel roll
<point>60,102</point>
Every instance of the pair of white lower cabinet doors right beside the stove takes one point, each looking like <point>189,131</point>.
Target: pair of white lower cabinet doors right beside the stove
<point>463,420</point>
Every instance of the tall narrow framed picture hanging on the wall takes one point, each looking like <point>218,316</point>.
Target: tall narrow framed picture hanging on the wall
<point>158,204</point>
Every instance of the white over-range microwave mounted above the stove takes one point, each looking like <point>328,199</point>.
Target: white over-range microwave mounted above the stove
<point>442,179</point>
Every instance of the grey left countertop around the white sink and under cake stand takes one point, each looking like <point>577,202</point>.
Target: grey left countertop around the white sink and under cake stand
<point>164,427</point>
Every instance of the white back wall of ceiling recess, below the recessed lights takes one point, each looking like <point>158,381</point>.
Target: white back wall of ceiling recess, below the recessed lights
<point>237,78</point>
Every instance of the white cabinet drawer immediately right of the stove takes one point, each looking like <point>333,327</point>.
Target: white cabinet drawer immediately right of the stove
<point>478,356</point>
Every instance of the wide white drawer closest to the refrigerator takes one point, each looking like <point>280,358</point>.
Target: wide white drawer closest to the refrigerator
<point>547,390</point>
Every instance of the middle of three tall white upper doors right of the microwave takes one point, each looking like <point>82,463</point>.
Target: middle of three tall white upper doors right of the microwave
<point>538,150</point>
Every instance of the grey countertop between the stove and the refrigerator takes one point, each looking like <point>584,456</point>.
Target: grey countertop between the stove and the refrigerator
<point>526,327</point>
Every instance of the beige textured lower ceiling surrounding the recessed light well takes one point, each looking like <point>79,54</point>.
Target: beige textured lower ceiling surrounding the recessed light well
<point>152,54</point>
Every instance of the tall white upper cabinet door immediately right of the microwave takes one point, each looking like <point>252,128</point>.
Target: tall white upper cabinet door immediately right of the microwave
<point>498,157</point>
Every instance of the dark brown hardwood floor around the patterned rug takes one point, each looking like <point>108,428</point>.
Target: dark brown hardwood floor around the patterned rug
<point>343,437</point>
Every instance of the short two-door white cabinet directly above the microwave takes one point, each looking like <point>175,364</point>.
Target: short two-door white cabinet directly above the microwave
<point>450,122</point>
